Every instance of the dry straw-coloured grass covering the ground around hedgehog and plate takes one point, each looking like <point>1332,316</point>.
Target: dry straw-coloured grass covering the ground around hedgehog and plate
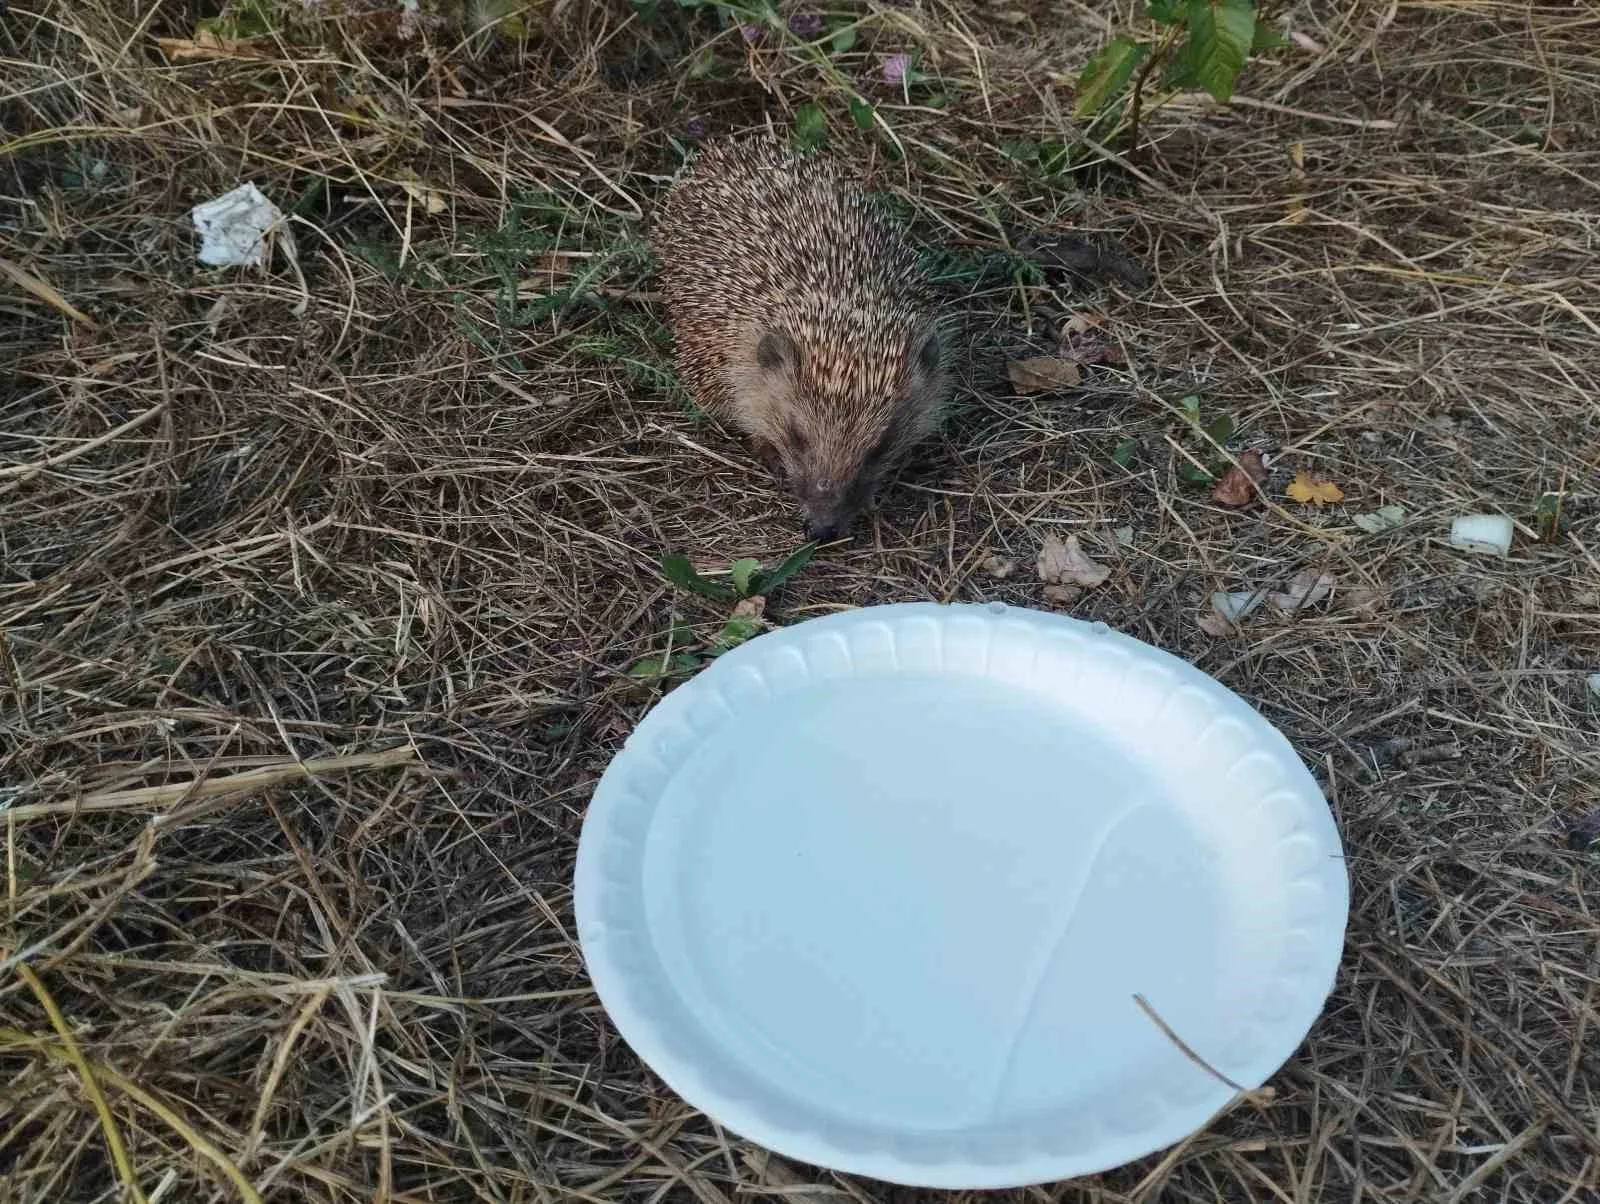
<point>316,598</point>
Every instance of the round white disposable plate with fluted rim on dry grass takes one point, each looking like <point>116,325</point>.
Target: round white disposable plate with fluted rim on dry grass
<point>878,891</point>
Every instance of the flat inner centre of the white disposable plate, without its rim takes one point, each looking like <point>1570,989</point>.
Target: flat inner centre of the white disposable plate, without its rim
<point>884,902</point>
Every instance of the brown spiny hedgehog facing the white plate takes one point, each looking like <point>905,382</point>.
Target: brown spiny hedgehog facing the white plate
<point>801,318</point>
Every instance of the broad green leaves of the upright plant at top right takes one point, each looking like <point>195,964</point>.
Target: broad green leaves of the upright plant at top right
<point>1198,44</point>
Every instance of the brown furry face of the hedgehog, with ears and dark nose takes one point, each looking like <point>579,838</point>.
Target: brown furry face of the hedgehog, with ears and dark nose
<point>836,427</point>
